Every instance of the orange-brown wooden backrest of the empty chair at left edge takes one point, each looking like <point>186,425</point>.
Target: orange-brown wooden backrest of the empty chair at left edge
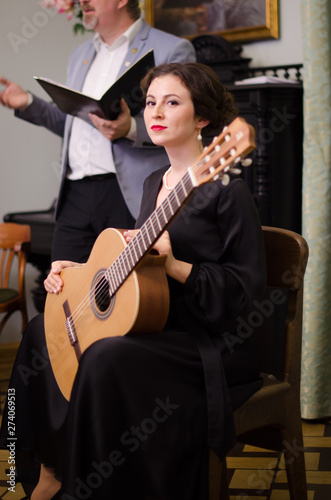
<point>14,240</point>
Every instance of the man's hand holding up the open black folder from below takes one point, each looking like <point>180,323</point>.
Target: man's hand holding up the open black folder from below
<point>114,129</point>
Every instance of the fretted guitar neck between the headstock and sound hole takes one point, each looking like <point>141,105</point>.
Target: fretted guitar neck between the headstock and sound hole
<point>149,233</point>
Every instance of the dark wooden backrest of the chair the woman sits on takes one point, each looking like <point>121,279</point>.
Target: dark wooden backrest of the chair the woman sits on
<point>287,257</point>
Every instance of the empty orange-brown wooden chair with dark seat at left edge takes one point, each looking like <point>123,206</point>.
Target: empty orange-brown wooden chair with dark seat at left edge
<point>14,242</point>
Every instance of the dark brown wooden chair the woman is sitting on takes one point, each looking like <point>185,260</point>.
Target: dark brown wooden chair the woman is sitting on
<point>271,418</point>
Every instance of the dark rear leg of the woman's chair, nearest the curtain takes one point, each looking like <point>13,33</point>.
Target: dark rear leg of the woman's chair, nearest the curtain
<point>292,441</point>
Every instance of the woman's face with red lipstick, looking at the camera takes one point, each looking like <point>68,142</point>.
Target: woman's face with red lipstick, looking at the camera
<point>169,113</point>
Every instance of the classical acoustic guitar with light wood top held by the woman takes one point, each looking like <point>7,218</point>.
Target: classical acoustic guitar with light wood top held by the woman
<point>123,287</point>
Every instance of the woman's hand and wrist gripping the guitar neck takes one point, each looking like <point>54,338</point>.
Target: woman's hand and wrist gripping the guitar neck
<point>177,269</point>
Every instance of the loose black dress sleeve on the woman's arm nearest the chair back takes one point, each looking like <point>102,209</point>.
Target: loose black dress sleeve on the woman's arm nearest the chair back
<point>217,291</point>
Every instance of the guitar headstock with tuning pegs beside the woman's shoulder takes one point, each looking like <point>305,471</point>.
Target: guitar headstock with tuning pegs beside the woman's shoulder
<point>226,151</point>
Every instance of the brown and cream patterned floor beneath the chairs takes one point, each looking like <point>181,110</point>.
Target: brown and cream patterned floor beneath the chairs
<point>254,474</point>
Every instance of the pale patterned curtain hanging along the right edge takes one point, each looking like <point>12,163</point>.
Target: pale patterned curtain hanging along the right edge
<point>316,209</point>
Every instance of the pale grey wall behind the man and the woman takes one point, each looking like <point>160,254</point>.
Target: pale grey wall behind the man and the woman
<point>34,41</point>
